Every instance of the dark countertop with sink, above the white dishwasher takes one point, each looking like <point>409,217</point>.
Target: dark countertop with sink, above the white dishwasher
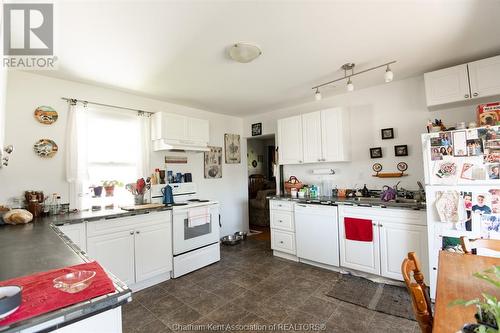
<point>335,201</point>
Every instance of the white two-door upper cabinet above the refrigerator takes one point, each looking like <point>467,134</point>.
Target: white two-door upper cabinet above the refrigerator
<point>463,83</point>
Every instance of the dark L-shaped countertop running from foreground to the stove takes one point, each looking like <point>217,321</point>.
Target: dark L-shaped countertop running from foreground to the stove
<point>39,246</point>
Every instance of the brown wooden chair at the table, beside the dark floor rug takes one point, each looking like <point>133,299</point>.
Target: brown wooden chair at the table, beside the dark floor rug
<point>419,292</point>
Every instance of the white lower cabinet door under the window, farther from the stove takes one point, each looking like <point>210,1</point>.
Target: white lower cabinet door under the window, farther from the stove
<point>115,252</point>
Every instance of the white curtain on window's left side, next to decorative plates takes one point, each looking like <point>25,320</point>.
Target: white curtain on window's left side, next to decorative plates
<point>76,153</point>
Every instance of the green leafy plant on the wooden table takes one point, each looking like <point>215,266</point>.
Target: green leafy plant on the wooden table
<point>488,309</point>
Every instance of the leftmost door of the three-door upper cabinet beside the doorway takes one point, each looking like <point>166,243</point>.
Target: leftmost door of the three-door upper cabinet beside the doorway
<point>290,140</point>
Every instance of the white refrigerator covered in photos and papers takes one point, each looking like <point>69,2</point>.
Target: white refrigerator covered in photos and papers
<point>462,189</point>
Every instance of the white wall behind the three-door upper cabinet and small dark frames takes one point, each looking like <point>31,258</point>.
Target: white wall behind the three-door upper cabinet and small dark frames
<point>400,105</point>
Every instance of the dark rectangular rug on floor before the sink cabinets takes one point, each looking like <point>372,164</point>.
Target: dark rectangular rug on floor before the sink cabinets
<point>389,299</point>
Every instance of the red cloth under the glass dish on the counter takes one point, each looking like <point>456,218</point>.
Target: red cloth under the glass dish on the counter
<point>39,295</point>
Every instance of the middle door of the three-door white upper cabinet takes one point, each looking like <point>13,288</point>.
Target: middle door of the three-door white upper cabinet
<point>311,137</point>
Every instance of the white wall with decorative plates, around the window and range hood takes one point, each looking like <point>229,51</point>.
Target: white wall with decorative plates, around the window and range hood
<point>26,171</point>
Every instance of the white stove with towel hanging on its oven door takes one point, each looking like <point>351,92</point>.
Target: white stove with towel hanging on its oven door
<point>195,228</point>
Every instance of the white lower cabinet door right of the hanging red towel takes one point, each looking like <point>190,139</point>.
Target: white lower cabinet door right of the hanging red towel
<point>396,240</point>
